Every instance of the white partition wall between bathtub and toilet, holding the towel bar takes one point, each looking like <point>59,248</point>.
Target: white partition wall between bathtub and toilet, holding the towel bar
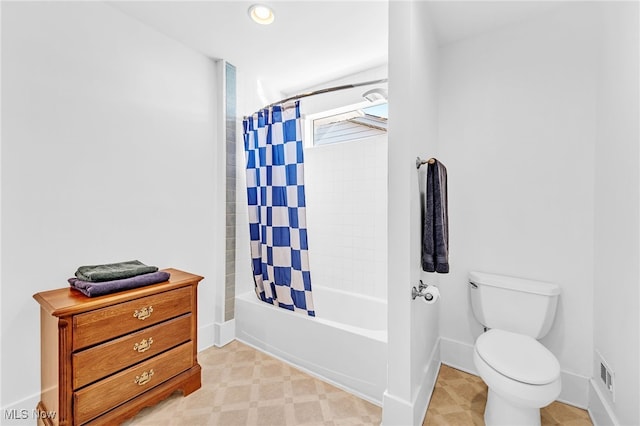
<point>412,325</point>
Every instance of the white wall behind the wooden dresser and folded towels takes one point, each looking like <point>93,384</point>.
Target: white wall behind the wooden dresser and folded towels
<point>108,144</point>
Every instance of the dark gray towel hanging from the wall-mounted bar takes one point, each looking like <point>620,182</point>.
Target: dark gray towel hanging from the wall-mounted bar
<point>435,238</point>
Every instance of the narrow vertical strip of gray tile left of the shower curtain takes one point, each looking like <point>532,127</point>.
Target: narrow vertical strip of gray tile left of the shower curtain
<point>230,165</point>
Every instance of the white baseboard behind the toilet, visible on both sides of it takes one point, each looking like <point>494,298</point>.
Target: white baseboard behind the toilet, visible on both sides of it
<point>459,355</point>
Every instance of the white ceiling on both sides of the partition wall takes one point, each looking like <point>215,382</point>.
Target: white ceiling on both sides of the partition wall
<point>312,42</point>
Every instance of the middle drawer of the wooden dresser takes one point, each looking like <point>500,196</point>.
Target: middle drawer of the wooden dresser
<point>108,358</point>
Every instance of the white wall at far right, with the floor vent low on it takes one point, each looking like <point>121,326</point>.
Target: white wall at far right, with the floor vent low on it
<point>617,214</point>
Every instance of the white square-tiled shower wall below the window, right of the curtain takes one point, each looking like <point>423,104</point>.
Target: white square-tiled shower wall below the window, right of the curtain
<point>346,193</point>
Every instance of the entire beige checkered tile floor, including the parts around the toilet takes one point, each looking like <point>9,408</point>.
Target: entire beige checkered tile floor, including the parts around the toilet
<point>243,386</point>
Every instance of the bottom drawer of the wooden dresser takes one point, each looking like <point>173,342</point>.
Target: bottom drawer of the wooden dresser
<point>102,396</point>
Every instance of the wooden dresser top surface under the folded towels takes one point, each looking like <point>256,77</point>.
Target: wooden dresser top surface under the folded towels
<point>68,301</point>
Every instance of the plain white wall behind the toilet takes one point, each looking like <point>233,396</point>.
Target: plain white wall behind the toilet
<point>517,113</point>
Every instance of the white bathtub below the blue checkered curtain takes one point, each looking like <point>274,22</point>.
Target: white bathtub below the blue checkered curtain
<point>345,344</point>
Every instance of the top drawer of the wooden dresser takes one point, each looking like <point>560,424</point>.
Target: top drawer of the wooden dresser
<point>104,324</point>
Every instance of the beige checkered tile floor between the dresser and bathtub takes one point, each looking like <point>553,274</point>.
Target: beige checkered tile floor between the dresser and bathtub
<point>243,386</point>
